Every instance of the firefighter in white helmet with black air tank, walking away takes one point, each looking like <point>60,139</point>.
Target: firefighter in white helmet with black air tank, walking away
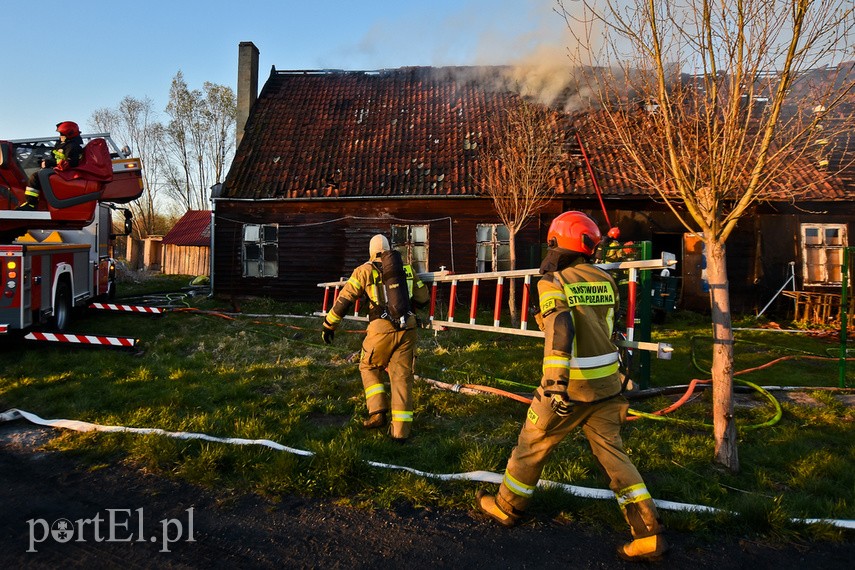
<point>389,343</point>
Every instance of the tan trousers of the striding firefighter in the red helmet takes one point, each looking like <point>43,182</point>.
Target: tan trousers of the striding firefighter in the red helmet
<point>543,430</point>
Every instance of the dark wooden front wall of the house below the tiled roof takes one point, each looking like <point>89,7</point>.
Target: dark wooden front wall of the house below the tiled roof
<point>324,240</point>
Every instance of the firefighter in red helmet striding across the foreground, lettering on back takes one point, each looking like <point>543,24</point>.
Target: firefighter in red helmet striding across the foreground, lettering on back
<point>581,387</point>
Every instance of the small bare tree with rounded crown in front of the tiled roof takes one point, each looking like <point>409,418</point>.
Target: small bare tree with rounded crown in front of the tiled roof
<point>519,168</point>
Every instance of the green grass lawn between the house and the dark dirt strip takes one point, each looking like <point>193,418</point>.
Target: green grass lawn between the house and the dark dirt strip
<point>260,377</point>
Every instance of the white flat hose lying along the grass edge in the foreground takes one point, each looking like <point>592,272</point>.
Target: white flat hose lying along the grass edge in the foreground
<point>480,476</point>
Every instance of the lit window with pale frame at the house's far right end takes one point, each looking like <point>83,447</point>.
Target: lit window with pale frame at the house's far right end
<point>823,247</point>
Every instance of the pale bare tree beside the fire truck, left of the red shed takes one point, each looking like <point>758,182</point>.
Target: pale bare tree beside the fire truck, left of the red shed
<point>134,123</point>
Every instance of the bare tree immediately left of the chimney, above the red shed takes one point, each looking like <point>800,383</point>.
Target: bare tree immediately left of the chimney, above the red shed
<point>200,137</point>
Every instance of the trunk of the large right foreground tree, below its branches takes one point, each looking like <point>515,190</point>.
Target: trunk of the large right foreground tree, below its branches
<point>724,424</point>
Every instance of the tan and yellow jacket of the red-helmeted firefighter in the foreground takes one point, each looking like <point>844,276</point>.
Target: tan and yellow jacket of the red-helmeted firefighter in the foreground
<point>578,306</point>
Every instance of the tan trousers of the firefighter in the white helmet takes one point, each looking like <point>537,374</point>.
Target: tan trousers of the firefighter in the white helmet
<point>388,348</point>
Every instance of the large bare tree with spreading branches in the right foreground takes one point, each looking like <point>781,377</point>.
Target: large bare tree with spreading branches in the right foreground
<point>717,140</point>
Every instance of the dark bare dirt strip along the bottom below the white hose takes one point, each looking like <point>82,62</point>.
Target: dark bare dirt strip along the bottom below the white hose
<point>246,531</point>
